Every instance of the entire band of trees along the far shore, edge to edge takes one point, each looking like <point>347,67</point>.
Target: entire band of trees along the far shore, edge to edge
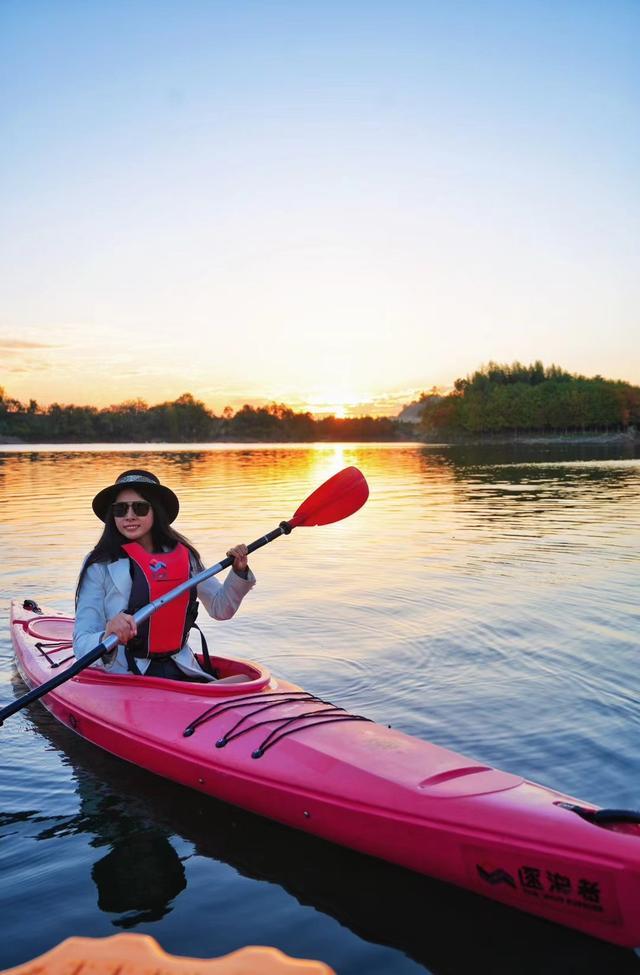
<point>496,399</point>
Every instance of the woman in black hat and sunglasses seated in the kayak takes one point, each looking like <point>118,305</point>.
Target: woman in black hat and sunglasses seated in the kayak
<point>138,557</point>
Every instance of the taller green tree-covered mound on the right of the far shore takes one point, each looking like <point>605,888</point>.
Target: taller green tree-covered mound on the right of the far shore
<point>516,399</point>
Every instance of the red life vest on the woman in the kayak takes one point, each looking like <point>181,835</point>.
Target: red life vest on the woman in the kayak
<point>153,575</point>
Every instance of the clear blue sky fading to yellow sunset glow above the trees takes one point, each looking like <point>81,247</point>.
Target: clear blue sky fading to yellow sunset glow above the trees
<point>330,204</point>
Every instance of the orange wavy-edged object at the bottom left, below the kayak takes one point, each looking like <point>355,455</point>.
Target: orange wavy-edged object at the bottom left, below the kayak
<point>140,954</point>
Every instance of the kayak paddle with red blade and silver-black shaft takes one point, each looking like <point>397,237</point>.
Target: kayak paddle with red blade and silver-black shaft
<point>342,495</point>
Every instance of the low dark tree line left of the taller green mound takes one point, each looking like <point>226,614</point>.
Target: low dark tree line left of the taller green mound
<point>184,420</point>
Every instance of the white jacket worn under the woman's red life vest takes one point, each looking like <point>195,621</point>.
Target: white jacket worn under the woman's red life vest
<point>105,591</point>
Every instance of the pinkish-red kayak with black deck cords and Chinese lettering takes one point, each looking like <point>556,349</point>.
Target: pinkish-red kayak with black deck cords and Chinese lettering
<point>281,752</point>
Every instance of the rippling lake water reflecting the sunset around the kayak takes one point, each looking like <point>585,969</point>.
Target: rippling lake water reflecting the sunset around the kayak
<point>485,599</point>
